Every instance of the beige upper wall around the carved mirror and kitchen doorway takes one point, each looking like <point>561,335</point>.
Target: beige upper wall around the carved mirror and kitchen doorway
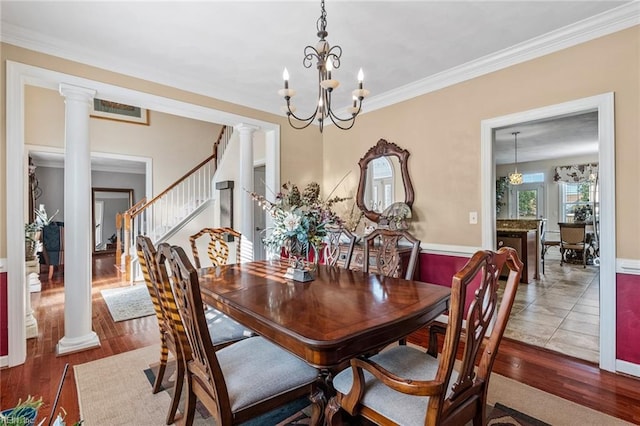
<point>441,130</point>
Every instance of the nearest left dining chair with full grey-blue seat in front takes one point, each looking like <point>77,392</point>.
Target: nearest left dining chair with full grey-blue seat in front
<point>239,381</point>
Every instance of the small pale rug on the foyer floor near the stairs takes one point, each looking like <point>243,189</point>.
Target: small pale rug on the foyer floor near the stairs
<point>126,303</point>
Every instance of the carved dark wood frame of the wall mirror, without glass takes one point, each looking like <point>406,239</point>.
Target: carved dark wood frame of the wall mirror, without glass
<point>383,149</point>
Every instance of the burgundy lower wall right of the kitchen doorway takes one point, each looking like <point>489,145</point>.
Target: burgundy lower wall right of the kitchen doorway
<point>628,318</point>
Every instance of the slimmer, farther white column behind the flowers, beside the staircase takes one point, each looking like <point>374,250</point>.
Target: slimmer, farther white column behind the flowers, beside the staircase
<point>245,132</point>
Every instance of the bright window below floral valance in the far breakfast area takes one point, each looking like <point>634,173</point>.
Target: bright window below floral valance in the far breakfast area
<point>578,201</point>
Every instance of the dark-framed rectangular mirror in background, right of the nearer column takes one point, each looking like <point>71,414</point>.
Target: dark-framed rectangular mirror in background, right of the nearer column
<point>106,203</point>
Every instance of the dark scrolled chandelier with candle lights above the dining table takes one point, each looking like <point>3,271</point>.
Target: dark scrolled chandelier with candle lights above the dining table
<point>327,59</point>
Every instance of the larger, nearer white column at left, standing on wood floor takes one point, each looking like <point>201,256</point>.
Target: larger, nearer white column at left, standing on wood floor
<point>78,334</point>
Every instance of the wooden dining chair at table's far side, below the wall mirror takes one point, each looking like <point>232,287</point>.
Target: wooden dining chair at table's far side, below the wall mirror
<point>387,258</point>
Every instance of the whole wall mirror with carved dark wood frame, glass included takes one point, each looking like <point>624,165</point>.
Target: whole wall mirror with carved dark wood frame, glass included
<point>384,179</point>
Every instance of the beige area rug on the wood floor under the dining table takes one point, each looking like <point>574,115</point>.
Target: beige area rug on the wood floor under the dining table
<point>116,391</point>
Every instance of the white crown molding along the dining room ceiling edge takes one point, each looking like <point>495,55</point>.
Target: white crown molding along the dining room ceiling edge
<point>614,20</point>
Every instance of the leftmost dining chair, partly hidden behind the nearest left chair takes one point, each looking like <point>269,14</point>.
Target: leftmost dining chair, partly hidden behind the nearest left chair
<point>223,330</point>
